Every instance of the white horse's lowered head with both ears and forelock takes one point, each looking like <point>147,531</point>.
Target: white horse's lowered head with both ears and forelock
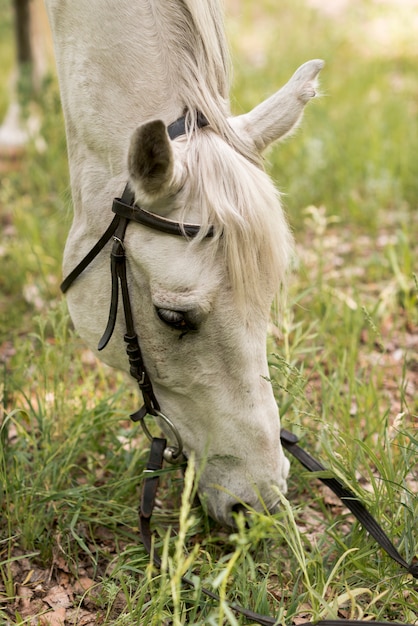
<point>202,305</point>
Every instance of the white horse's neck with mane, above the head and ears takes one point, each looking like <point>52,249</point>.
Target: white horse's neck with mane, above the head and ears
<point>150,60</point>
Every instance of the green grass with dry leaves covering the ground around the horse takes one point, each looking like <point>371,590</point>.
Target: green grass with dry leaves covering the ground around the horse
<point>344,370</point>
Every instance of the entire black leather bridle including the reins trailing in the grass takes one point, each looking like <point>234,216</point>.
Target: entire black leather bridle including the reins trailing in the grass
<point>127,211</point>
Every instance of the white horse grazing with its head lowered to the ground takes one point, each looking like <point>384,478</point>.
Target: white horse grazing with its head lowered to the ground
<point>127,69</point>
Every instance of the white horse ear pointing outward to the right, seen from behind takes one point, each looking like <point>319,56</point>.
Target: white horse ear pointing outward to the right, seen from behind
<point>279,114</point>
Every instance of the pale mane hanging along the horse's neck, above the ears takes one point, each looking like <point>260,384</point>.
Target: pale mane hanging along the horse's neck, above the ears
<point>195,56</point>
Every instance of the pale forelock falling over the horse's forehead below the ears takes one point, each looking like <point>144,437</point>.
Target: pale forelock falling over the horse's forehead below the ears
<point>239,200</point>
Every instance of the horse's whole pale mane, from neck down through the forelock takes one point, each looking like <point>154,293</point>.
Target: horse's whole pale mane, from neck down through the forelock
<point>226,177</point>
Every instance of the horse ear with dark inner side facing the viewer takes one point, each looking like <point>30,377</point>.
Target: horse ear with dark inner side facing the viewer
<point>151,161</point>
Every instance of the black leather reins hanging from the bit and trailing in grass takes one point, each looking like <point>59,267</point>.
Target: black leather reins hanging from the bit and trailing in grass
<point>349,499</point>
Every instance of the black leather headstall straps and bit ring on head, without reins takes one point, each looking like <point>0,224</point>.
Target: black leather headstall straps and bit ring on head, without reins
<point>127,211</point>
